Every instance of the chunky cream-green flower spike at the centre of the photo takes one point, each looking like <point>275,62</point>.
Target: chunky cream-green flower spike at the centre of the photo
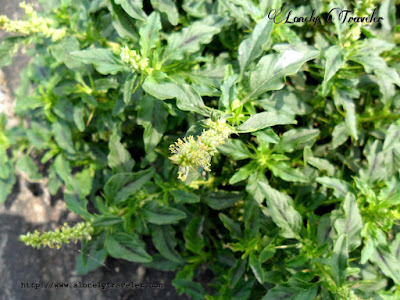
<point>191,153</point>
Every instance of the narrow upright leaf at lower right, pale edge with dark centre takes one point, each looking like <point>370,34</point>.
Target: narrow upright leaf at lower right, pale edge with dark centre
<point>339,259</point>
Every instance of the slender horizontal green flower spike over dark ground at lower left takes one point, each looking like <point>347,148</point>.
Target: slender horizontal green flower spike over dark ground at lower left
<point>59,236</point>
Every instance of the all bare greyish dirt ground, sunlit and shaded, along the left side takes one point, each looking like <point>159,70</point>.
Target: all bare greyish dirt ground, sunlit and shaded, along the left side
<point>31,207</point>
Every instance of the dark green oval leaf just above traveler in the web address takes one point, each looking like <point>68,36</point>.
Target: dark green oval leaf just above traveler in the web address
<point>128,247</point>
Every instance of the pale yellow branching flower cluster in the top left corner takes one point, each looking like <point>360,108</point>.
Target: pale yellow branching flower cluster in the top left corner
<point>32,25</point>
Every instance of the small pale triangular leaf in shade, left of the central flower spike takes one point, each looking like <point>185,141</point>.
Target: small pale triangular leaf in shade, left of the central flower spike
<point>119,159</point>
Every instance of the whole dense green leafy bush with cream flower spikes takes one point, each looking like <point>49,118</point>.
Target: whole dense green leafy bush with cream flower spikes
<point>200,134</point>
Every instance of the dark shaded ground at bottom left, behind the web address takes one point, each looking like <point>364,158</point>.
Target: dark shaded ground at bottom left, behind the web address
<point>25,272</point>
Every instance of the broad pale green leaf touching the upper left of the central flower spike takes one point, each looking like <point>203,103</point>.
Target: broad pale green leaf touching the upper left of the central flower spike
<point>162,87</point>
